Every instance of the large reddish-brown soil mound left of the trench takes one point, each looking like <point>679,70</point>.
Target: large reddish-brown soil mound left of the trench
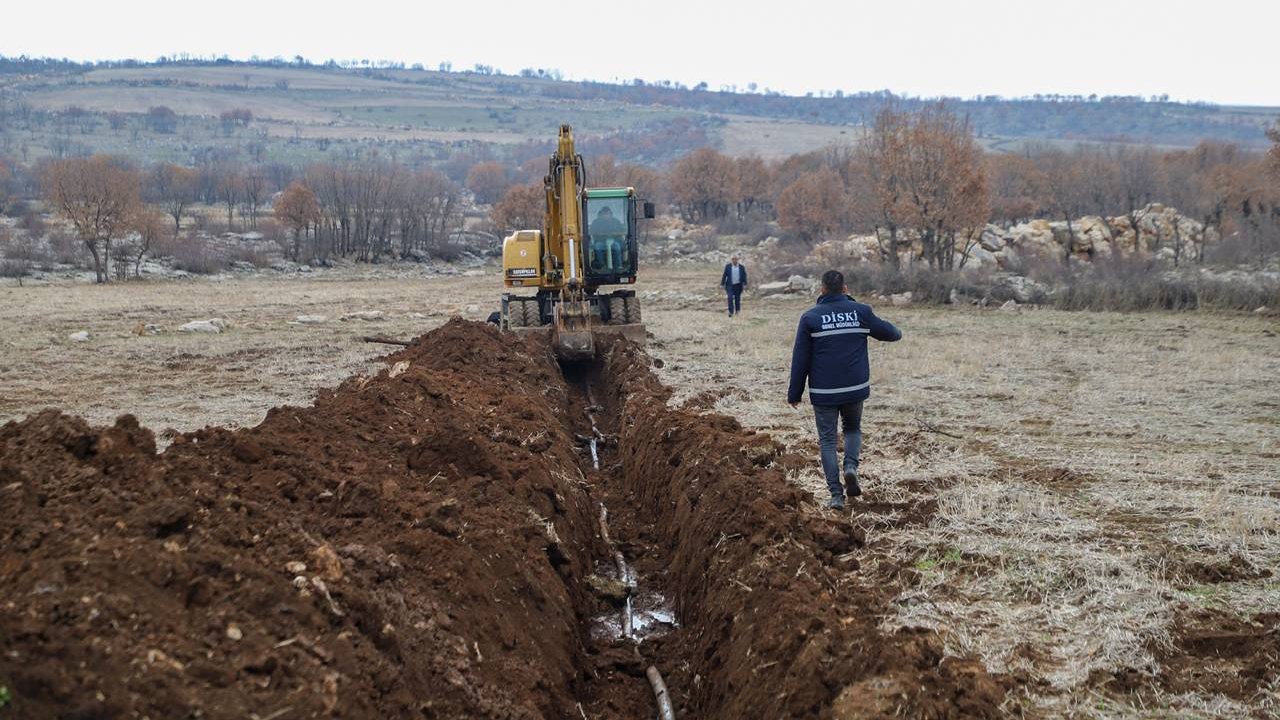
<point>390,553</point>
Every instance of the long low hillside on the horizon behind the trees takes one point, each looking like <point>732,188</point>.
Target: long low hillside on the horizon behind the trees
<point>300,113</point>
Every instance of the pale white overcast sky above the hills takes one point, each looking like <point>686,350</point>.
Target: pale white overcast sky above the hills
<point>1192,51</point>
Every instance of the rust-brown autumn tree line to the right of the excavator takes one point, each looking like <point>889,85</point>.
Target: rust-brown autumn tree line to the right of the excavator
<point>924,171</point>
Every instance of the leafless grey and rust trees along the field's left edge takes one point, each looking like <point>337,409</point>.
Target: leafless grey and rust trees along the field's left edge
<point>367,209</point>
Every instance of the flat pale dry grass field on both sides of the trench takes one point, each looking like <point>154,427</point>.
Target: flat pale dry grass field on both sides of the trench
<point>1098,494</point>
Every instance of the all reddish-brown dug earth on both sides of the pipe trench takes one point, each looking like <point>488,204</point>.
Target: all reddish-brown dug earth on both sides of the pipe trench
<point>427,543</point>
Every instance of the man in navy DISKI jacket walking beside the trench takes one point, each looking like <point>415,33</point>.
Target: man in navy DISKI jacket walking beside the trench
<point>831,356</point>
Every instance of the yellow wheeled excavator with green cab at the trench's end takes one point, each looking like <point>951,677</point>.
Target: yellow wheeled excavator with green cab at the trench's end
<point>588,241</point>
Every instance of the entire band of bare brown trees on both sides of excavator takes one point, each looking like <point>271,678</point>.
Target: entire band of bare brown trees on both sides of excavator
<point>912,176</point>
